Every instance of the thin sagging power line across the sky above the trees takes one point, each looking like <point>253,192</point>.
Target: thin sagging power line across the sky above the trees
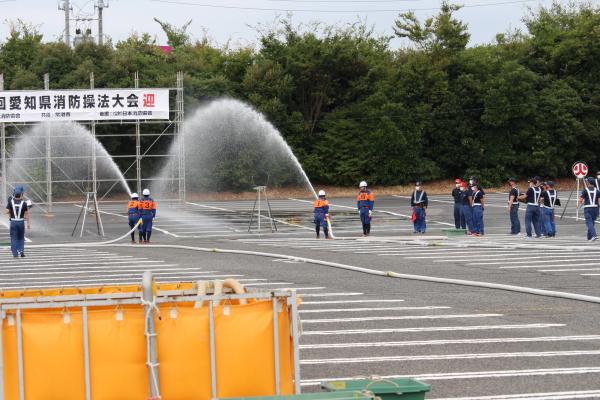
<point>206,5</point>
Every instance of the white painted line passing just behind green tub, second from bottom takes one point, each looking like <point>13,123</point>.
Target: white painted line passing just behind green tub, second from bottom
<point>473,375</point>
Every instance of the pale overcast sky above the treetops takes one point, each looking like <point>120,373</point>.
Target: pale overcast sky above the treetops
<point>233,20</point>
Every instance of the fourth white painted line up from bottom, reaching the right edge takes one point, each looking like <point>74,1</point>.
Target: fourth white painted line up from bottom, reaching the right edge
<point>449,341</point>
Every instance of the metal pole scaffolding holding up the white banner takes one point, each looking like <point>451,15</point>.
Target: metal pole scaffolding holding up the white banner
<point>43,190</point>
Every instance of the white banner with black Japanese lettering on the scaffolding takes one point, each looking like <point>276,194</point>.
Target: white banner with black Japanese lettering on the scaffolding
<point>84,105</point>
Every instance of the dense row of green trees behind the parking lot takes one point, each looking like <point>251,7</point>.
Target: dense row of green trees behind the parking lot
<point>351,106</point>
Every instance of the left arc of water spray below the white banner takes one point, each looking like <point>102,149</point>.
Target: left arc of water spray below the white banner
<point>71,154</point>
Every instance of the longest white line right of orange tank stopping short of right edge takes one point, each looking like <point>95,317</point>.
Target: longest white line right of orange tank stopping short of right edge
<point>431,329</point>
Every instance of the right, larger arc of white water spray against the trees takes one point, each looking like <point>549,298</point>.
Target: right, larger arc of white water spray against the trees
<point>230,147</point>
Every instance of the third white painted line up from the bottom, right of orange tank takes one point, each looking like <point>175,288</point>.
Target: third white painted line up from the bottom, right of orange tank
<point>465,356</point>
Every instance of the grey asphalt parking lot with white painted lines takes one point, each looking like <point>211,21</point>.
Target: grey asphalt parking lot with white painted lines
<point>468,343</point>
